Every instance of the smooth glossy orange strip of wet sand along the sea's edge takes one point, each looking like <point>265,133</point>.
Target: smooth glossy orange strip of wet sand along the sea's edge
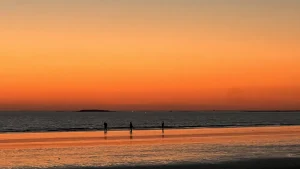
<point>200,135</point>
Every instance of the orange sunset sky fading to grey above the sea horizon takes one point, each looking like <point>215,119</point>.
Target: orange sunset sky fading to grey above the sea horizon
<point>149,54</point>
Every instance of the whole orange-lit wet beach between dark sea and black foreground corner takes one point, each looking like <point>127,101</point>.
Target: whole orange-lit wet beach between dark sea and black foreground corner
<point>143,147</point>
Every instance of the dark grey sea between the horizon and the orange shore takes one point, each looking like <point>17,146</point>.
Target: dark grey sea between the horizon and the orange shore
<point>87,121</point>
